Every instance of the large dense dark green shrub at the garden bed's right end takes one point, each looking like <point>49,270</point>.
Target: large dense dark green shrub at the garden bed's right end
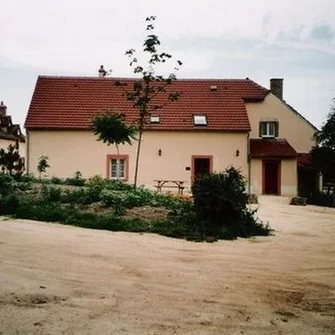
<point>220,203</point>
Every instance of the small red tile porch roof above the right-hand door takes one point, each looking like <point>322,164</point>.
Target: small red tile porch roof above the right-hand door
<point>271,148</point>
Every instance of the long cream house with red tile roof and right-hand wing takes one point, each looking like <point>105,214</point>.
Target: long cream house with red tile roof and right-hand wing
<point>215,124</point>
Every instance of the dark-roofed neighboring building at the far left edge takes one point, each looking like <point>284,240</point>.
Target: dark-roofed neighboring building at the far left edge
<point>10,133</point>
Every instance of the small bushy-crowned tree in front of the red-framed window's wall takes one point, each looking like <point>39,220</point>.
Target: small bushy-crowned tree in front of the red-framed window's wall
<point>111,129</point>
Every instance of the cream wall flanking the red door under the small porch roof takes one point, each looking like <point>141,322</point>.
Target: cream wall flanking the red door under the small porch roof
<point>288,177</point>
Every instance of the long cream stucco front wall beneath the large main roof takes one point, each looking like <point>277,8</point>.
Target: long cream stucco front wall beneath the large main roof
<point>70,151</point>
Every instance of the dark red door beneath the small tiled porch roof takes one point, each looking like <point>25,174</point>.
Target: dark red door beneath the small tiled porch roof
<point>271,177</point>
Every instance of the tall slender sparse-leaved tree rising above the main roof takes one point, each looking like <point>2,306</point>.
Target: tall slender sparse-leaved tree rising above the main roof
<point>144,92</point>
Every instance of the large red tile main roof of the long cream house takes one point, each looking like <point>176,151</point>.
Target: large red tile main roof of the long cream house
<point>70,102</point>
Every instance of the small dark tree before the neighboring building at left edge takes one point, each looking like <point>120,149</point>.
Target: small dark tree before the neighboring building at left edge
<point>11,161</point>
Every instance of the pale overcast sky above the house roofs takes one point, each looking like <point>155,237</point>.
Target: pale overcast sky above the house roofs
<point>259,39</point>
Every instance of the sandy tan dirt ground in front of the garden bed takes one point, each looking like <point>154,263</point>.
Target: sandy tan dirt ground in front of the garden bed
<point>57,279</point>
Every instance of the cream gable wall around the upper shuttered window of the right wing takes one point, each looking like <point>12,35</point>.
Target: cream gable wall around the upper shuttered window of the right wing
<point>292,127</point>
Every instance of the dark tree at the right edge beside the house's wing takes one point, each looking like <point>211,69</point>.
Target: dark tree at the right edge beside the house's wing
<point>323,154</point>
